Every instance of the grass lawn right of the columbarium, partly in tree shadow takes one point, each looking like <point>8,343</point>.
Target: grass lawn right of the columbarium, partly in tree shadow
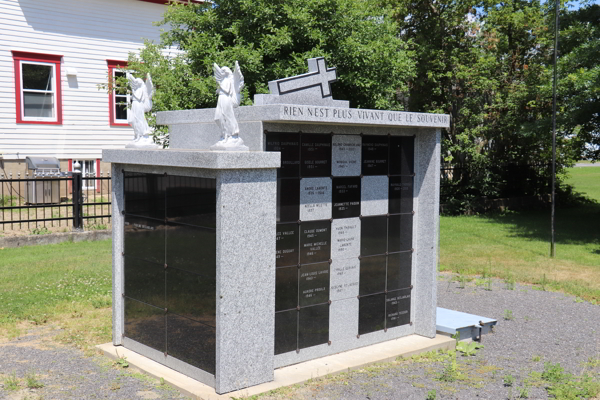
<point>517,244</point>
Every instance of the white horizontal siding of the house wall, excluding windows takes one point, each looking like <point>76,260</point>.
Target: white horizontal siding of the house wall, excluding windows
<point>86,33</point>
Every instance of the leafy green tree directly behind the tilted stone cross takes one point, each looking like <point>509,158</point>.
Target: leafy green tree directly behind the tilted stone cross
<point>272,39</point>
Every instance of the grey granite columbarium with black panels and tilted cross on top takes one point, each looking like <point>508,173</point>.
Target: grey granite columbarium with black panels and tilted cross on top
<point>320,239</point>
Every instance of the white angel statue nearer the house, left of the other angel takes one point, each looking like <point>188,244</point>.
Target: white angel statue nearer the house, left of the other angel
<point>141,102</point>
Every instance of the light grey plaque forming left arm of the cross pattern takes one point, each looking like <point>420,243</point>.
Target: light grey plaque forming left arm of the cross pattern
<point>315,198</point>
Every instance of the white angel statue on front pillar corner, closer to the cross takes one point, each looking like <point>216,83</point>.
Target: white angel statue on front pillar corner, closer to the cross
<point>230,97</point>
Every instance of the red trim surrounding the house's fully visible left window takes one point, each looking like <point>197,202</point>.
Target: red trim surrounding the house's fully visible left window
<point>19,56</point>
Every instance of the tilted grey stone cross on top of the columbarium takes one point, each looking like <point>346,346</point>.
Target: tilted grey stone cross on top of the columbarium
<point>318,76</point>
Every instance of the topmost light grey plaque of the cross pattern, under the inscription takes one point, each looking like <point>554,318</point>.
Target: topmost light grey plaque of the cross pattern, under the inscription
<point>345,155</point>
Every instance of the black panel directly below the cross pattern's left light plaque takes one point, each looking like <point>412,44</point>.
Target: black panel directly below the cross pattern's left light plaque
<point>315,241</point>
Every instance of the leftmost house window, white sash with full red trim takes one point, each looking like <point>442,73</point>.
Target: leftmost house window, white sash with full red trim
<point>38,91</point>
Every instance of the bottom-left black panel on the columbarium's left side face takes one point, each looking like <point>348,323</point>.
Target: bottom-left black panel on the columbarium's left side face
<point>145,324</point>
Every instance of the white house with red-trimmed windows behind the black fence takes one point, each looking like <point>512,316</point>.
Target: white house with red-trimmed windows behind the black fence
<point>53,55</point>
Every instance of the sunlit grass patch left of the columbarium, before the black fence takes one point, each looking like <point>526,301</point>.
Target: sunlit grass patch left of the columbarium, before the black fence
<point>68,284</point>
